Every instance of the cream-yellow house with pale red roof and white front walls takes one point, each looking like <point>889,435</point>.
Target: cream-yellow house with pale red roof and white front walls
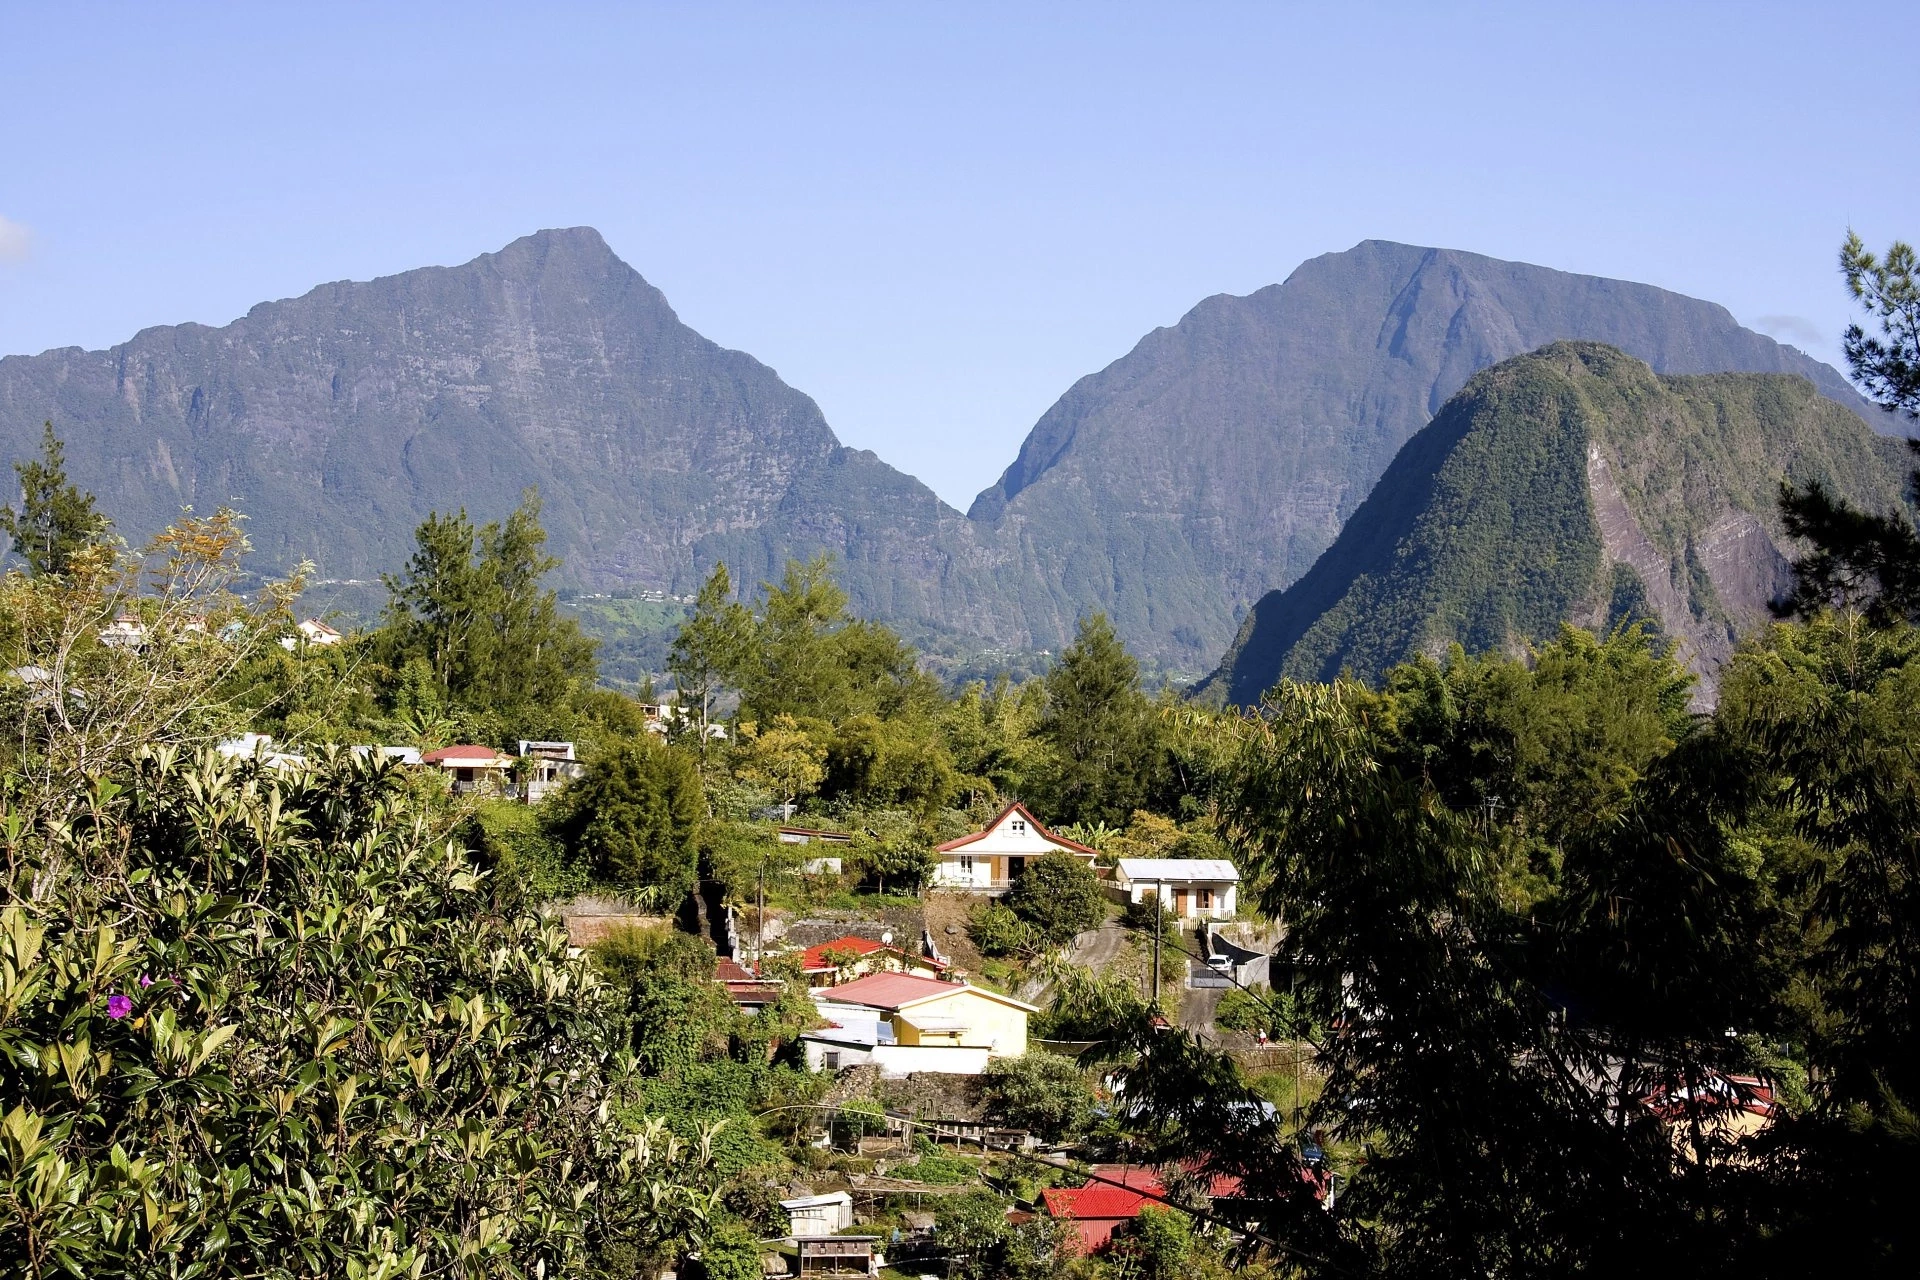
<point>905,1022</point>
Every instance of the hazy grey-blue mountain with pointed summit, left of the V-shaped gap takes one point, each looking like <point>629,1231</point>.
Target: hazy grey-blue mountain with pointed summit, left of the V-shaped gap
<point>339,419</point>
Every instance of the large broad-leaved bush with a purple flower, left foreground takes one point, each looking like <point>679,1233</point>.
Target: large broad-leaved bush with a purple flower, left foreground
<point>231,972</point>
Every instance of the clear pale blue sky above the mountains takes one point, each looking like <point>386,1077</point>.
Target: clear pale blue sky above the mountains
<point>936,218</point>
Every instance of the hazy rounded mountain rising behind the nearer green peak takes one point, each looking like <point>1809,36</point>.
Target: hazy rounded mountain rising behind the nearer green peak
<point>1220,458</point>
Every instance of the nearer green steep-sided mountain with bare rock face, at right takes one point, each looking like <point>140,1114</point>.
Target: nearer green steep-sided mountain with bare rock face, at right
<point>1572,485</point>
